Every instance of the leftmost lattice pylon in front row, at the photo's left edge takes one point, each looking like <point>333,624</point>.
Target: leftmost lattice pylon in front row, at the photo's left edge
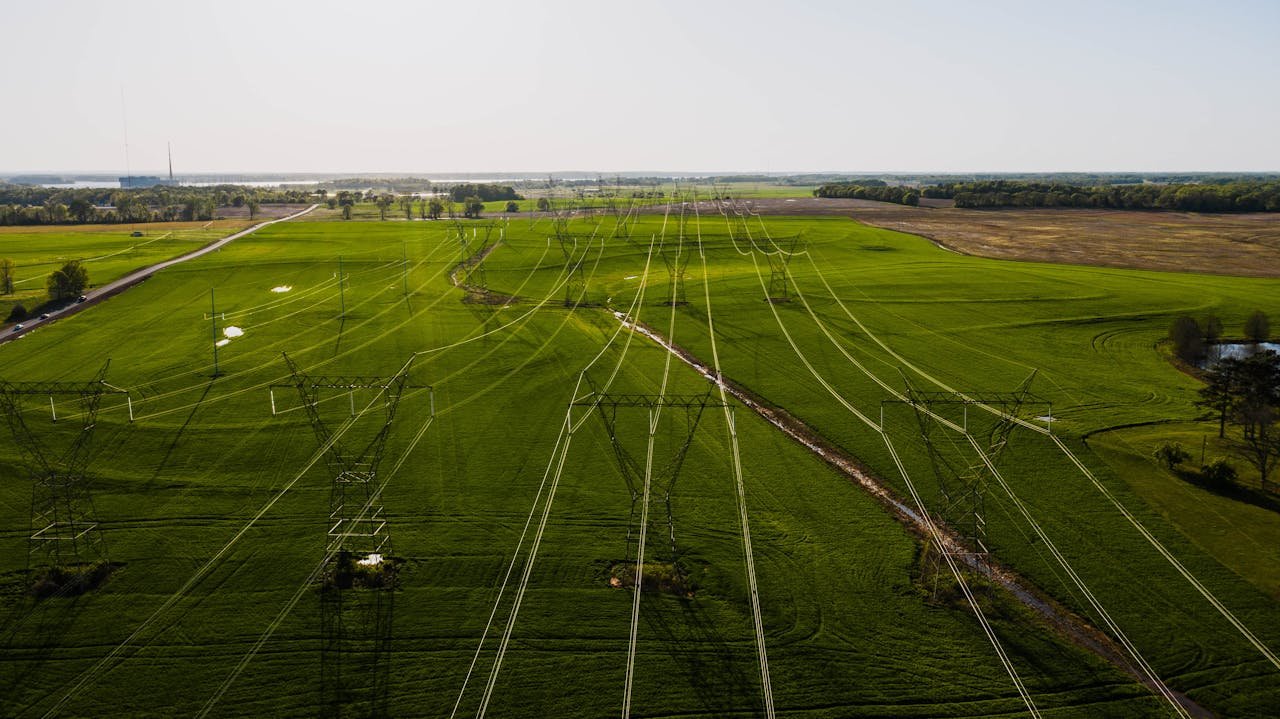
<point>65,532</point>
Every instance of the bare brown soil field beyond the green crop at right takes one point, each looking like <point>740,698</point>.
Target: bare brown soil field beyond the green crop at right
<point>1246,245</point>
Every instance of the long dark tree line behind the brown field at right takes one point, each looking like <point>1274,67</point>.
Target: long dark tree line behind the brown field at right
<point>1250,196</point>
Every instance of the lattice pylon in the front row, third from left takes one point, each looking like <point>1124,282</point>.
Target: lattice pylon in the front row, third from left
<point>619,414</point>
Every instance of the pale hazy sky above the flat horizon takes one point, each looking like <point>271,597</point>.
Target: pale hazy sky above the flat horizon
<point>680,86</point>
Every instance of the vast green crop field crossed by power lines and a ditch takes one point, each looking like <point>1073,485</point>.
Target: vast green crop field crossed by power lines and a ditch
<point>529,464</point>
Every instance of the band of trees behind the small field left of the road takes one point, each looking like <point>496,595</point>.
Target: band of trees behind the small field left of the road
<point>33,205</point>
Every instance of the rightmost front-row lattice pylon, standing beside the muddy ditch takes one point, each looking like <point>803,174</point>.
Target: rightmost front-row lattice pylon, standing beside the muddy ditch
<point>963,477</point>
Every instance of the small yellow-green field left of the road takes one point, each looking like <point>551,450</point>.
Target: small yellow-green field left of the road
<point>108,251</point>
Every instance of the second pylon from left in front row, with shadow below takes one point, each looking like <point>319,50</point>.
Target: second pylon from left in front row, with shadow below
<point>358,592</point>
